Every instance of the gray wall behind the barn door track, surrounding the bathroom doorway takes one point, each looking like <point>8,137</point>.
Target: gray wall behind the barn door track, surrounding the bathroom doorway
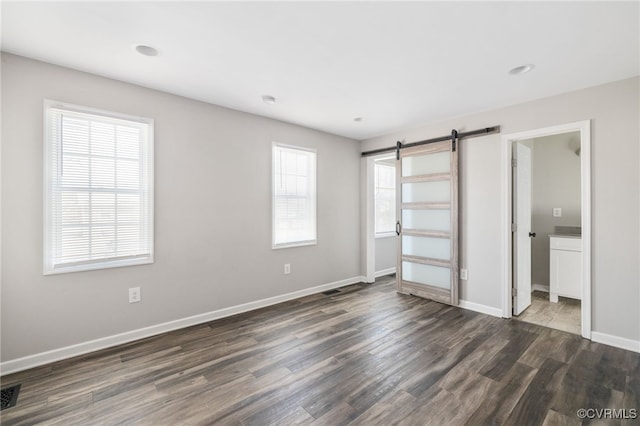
<point>614,111</point>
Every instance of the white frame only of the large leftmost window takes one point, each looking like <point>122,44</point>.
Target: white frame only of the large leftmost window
<point>147,124</point>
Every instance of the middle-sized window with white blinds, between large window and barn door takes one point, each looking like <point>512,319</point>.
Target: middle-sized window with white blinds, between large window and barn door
<point>294,196</point>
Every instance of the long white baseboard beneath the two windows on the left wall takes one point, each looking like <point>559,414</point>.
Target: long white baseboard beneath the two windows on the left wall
<point>30,361</point>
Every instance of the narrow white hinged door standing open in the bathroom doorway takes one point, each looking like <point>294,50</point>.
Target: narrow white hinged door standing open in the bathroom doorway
<point>523,234</point>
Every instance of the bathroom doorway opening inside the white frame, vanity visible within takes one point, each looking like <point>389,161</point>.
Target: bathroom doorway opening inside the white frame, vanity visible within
<point>547,236</point>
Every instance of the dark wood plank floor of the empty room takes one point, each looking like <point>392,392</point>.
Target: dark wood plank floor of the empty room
<point>364,355</point>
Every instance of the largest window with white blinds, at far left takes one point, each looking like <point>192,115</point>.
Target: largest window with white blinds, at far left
<point>98,175</point>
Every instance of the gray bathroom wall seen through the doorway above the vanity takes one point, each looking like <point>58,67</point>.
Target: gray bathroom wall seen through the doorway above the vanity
<point>555,183</point>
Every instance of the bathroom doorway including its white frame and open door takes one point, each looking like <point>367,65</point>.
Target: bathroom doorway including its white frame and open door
<point>547,227</point>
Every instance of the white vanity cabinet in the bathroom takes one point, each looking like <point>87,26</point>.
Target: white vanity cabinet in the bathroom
<point>565,267</point>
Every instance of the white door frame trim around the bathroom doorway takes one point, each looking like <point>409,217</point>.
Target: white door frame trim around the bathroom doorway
<point>584,127</point>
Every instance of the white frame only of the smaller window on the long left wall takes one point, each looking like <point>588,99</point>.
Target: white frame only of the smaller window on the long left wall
<point>313,198</point>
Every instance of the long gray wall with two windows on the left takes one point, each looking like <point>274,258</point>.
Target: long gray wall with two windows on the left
<point>212,214</point>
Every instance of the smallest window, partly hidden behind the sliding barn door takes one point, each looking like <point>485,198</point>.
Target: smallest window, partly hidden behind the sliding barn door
<point>385,199</point>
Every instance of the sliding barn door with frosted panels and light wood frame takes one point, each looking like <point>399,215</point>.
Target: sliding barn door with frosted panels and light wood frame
<point>427,204</point>
